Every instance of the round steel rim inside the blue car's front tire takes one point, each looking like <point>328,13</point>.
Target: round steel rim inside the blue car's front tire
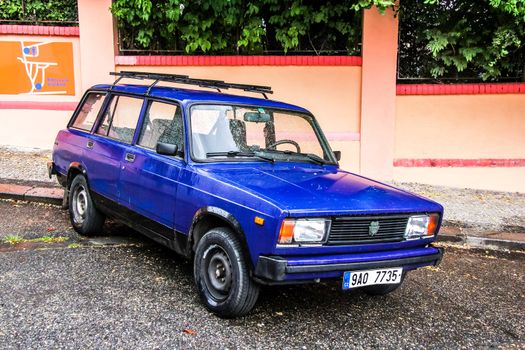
<point>218,273</point>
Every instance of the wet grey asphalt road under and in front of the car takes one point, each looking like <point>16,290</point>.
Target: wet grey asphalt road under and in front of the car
<point>137,295</point>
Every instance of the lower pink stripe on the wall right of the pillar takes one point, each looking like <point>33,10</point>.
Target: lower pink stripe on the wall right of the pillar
<point>459,163</point>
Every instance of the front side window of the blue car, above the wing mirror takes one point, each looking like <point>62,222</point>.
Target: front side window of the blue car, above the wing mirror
<point>162,123</point>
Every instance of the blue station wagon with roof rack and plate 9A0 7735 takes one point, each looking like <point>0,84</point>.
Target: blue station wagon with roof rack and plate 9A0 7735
<point>248,188</point>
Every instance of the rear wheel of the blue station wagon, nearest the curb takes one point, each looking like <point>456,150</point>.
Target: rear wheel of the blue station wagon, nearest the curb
<point>85,218</point>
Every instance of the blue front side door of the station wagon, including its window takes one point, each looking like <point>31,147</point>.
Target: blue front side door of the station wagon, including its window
<point>149,180</point>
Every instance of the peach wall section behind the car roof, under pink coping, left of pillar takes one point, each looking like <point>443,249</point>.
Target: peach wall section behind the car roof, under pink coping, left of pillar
<point>331,93</point>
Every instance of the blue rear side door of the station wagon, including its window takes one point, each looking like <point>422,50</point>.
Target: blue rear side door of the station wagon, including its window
<point>106,146</point>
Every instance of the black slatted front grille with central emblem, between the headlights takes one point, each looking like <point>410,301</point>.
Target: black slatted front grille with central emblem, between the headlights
<point>356,229</point>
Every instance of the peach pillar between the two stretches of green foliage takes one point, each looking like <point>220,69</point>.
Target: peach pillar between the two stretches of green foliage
<point>378,93</point>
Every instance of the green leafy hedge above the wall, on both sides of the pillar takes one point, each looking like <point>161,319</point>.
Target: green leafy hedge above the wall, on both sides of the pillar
<point>446,38</point>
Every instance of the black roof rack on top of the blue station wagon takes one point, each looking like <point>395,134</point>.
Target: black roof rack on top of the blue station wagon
<point>184,79</point>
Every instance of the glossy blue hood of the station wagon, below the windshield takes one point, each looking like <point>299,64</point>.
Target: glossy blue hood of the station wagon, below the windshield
<point>316,190</point>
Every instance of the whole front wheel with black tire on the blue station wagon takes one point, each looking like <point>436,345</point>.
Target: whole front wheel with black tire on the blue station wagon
<point>222,274</point>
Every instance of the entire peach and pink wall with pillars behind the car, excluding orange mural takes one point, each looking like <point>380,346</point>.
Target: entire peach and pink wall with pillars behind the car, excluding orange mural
<point>406,136</point>
